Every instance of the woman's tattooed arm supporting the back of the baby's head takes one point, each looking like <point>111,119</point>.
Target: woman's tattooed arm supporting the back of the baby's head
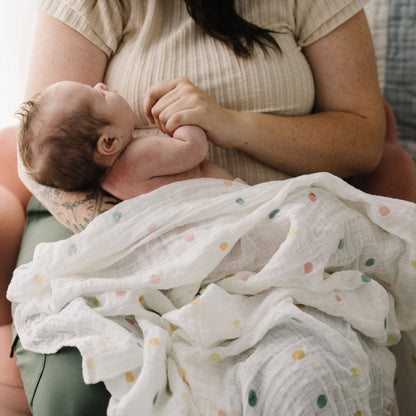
<point>61,53</point>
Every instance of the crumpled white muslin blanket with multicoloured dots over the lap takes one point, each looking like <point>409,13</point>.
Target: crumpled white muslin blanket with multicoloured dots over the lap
<point>211,297</point>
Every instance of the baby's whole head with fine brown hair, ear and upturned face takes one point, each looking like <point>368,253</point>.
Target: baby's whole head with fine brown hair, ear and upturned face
<point>71,134</point>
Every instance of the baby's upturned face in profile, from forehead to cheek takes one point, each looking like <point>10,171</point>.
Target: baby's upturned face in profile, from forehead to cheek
<point>65,97</point>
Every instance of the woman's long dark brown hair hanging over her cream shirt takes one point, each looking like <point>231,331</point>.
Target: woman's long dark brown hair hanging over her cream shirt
<point>219,19</point>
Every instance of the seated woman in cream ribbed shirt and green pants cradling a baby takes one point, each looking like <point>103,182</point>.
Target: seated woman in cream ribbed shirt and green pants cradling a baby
<point>304,98</point>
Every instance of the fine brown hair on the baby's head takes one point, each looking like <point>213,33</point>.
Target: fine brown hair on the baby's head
<point>66,149</point>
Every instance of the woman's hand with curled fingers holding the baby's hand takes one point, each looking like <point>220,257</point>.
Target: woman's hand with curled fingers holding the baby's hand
<point>178,102</point>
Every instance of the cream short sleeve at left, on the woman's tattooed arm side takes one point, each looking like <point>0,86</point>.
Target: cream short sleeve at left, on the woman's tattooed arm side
<point>101,22</point>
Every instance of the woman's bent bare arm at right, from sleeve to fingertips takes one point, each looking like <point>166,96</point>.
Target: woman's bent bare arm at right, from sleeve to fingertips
<point>344,135</point>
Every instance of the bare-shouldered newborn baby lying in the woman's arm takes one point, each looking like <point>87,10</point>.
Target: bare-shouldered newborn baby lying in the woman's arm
<point>75,137</point>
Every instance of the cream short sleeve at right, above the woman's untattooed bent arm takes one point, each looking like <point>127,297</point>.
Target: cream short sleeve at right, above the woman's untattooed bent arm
<point>316,18</point>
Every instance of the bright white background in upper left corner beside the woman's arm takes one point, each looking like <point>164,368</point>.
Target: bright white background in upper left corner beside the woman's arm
<point>17,20</point>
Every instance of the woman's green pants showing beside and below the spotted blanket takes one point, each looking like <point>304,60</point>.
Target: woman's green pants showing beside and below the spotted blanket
<point>53,382</point>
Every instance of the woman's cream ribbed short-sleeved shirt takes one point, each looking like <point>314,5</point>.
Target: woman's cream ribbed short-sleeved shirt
<point>153,40</point>
